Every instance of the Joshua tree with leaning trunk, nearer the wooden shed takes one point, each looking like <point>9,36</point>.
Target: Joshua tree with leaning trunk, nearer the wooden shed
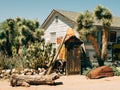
<point>85,28</point>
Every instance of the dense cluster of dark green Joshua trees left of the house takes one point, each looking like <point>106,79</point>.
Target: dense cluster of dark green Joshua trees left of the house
<point>18,32</point>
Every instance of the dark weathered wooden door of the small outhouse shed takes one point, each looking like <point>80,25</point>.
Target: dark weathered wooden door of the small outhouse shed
<point>73,61</point>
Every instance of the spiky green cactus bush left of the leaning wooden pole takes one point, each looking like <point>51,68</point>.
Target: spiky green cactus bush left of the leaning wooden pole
<point>38,55</point>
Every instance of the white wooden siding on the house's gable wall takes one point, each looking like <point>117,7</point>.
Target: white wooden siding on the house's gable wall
<point>59,27</point>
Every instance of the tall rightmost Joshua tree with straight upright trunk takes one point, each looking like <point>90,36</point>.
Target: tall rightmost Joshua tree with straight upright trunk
<point>104,16</point>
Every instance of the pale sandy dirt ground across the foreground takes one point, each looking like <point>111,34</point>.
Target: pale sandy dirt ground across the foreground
<point>72,82</point>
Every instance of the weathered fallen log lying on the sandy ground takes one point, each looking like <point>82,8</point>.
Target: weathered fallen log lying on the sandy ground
<point>27,80</point>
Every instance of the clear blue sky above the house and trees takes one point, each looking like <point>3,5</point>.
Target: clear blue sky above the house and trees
<point>40,9</point>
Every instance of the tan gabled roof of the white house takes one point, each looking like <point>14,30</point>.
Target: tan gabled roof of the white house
<point>72,16</point>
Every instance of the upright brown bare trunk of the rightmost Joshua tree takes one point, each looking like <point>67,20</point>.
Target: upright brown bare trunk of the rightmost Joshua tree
<point>104,43</point>
